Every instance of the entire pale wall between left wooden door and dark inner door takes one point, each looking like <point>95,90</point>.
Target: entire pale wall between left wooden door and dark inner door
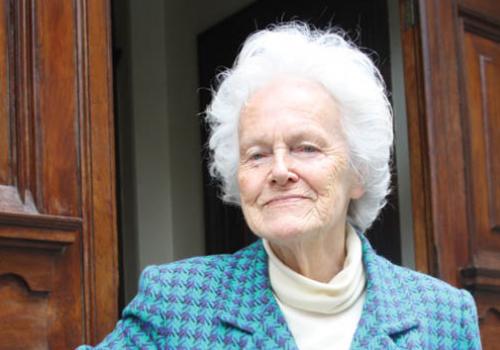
<point>166,130</point>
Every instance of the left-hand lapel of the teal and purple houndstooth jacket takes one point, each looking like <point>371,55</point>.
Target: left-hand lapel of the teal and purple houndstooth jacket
<point>250,305</point>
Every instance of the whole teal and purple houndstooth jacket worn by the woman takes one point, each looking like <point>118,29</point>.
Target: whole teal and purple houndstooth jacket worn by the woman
<point>225,302</point>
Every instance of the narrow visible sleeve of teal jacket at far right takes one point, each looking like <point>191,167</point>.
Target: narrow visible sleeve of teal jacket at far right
<point>470,338</point>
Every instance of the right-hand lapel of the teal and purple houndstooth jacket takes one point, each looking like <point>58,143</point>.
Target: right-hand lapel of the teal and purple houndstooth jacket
<point>387,313</point>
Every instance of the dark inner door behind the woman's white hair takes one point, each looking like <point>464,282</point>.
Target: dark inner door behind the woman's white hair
<point>366,21</point>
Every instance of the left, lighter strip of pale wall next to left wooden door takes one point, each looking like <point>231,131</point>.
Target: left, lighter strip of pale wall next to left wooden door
<point>151,132</point>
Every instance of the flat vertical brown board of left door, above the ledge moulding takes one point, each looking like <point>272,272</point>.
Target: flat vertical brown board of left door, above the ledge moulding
<point>55,109</point>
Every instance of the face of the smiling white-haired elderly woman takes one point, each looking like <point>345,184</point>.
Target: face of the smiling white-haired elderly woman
<point>293,175</point>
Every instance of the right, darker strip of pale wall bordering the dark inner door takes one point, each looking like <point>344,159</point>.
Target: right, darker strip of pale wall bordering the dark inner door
<point>185,20</point>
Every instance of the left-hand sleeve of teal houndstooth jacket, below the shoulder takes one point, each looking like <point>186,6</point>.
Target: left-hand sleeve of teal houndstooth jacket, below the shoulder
<point>141,319</point>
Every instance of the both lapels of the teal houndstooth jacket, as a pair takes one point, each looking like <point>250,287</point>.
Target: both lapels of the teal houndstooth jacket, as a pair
<point>249,305</point>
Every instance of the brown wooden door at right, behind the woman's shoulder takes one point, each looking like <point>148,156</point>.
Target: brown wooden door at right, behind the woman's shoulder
<point>452,59</point>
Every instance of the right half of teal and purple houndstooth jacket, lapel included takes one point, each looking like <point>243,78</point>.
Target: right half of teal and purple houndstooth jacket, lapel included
<point>433,314</point>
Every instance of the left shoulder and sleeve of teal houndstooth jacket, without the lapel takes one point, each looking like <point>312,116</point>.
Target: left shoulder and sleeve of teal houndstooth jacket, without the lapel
<point>185,293</point>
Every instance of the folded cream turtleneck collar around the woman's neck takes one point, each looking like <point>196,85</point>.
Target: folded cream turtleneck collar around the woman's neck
<point>305,294</point>
